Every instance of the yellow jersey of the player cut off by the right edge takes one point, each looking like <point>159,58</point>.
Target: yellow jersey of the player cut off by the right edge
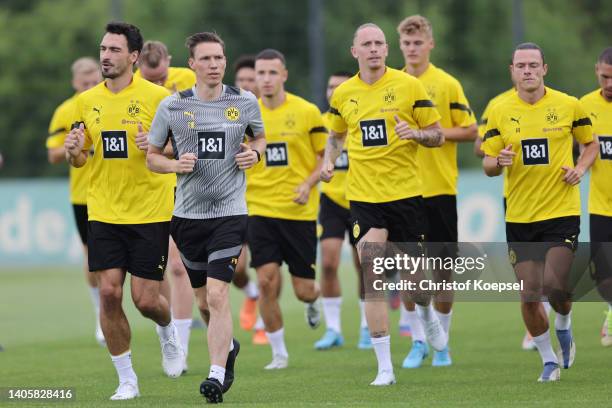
<point>600,191</point>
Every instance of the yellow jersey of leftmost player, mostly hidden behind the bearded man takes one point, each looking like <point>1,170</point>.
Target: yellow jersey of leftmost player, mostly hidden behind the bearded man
<point>60,125</point>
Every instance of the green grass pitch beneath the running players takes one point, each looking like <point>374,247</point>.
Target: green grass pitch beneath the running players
<point>46,328</point>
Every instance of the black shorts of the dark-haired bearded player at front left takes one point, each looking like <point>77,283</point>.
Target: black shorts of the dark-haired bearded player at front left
<point>141,249</point>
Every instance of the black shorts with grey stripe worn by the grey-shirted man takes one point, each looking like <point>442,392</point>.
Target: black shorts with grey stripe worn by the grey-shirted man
<point>209,247</point>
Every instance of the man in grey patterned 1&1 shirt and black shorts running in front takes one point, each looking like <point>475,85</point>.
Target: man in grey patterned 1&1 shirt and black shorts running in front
<point>206,126</point>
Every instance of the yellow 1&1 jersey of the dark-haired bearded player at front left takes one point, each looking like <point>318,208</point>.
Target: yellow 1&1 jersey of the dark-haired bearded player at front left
<point>122,190</point>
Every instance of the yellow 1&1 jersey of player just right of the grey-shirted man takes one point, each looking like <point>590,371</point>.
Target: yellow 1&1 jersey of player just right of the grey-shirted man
<point>295,135</point>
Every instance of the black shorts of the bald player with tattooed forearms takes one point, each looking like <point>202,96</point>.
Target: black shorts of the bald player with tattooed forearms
<point>404,219</point>
